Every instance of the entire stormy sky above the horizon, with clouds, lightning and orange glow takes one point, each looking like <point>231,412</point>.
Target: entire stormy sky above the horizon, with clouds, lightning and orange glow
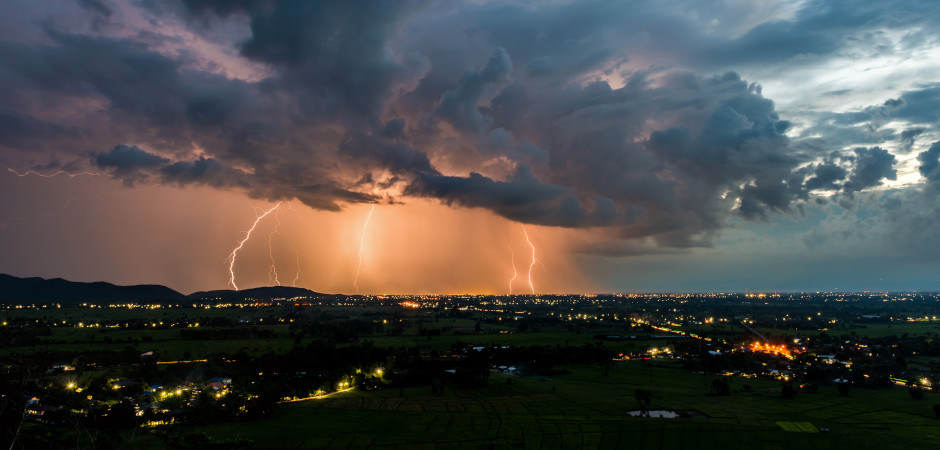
<point>496,147</point>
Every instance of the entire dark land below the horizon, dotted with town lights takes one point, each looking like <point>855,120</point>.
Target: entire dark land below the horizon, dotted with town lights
<point>717,371</point>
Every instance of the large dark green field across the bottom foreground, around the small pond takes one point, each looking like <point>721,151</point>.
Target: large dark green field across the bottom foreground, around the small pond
<point>585,409</point>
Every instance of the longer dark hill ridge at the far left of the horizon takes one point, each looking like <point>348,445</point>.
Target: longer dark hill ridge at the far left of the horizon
<point>57,290</point>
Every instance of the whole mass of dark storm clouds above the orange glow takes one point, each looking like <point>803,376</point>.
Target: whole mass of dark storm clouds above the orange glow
<point>578,115</point>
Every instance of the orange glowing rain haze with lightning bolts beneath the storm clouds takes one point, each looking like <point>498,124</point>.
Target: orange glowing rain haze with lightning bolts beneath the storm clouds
<point>421,247</point>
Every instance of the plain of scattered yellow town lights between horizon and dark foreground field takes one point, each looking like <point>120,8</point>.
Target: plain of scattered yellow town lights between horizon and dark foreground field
<point>319,347</point>
